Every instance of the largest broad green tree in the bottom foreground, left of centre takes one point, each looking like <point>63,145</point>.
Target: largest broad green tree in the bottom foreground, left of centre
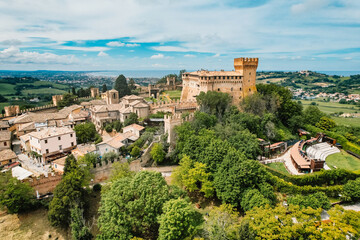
<point>132,205</point>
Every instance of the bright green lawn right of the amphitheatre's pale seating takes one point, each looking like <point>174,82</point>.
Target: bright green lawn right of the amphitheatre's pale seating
<point>343,160</point>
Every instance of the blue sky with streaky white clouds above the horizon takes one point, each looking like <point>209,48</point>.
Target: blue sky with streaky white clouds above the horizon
<point>91,35</point>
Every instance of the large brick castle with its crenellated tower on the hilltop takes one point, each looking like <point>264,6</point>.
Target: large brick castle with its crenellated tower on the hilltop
<point>238,84</point>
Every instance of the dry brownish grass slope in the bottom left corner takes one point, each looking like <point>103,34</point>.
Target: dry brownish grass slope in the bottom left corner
<point>32,225</point>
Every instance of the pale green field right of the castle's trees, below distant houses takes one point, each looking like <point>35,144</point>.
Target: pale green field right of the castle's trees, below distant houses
<point>331,107</point>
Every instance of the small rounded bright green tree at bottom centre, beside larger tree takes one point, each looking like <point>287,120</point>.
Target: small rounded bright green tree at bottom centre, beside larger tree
<point>178,221</point>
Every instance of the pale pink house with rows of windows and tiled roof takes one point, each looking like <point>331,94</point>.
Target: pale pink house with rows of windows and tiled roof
<point>52,143</point>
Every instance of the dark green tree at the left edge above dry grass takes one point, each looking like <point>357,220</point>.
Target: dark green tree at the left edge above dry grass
<point>14,195</point>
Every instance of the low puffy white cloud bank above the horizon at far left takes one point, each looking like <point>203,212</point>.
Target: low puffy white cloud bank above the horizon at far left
<point>14,55</point>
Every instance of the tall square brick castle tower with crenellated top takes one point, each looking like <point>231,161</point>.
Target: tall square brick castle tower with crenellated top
<point>247,66</point>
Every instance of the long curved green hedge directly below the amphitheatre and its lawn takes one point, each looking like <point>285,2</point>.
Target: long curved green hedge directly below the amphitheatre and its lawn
<point>321,178</point>
